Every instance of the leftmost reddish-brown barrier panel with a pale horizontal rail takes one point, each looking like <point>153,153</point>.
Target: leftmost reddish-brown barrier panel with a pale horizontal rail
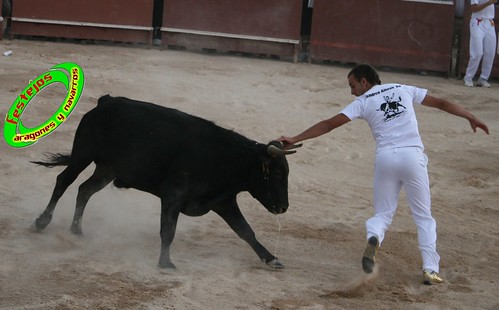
<point>110,20</point>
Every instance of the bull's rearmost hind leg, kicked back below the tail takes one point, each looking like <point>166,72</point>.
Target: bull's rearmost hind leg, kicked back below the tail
<point>64,179</point>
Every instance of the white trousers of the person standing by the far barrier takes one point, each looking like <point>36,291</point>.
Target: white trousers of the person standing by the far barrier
<point>482,47</point>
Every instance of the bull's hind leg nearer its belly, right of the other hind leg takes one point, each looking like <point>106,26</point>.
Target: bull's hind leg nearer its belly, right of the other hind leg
<point>102,176</point>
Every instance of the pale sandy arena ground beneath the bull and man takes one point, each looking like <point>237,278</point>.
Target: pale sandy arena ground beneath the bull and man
<point>320,238</point>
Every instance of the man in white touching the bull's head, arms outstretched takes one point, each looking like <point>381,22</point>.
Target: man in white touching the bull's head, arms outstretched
<point>400,160</point>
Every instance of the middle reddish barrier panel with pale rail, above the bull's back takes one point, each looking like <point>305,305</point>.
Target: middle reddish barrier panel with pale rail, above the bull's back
<point>253,26</point>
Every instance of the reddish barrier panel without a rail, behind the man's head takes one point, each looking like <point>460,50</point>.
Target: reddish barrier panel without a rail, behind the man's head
<point>406,34</point>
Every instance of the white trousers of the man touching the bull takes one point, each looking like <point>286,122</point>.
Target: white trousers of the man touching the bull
<point>405,167</point>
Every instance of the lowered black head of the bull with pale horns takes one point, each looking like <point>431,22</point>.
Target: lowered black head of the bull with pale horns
<point>271,184</point>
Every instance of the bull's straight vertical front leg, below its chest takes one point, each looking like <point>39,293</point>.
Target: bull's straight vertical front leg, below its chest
<point>169,217</point>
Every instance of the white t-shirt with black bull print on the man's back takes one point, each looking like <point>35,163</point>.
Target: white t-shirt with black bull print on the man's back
<point>389,111</point>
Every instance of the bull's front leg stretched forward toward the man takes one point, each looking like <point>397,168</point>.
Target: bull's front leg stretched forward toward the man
<point>231,213</point>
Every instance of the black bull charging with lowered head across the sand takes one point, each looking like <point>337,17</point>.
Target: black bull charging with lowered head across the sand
<point>191,164</point>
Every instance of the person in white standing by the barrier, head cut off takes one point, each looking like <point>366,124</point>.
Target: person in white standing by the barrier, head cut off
<point>482,41</point>
